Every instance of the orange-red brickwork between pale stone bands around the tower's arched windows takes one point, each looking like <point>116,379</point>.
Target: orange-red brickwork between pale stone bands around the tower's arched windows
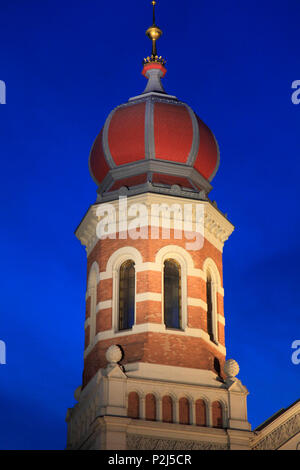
<point>169,349</point>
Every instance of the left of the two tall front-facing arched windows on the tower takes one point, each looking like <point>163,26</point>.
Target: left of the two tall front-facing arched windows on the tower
<point>126,295</point>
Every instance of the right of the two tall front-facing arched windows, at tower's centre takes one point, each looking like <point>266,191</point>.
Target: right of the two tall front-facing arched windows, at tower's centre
<point>172,294</point>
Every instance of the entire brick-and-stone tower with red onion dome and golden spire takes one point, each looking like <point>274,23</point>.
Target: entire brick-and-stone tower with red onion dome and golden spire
<point>155,371</point>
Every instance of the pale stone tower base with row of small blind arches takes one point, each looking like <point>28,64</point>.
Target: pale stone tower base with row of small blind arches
<point>99,421</point>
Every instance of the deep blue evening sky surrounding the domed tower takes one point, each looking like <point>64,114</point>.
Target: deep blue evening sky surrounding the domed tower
<point>66,64</point>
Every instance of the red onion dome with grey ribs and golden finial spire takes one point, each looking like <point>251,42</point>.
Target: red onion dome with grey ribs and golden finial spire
<point>154,141</point>
